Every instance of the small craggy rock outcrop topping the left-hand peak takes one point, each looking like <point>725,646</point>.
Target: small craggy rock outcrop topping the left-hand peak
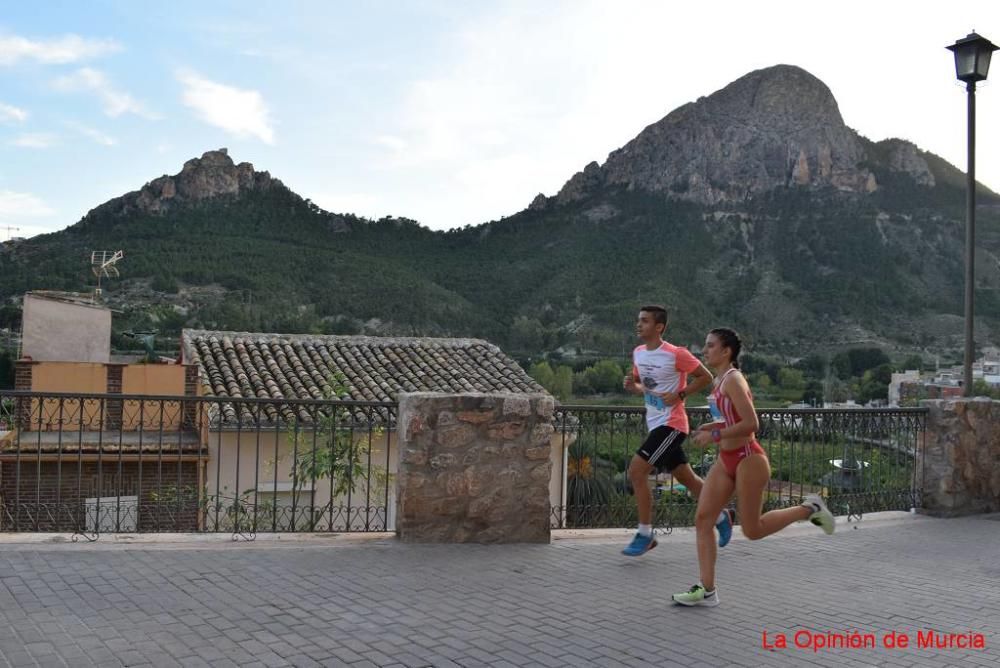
<point>212,175</point>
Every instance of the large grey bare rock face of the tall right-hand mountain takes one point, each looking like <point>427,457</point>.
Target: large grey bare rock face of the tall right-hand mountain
<point>776,127</point>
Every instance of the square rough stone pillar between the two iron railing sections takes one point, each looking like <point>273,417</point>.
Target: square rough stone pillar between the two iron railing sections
<point>474,468</point>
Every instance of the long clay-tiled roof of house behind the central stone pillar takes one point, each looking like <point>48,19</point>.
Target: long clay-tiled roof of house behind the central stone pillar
<point>299,366</point>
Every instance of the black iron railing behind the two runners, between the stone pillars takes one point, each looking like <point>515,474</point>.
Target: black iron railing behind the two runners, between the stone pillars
<point>860,460</point>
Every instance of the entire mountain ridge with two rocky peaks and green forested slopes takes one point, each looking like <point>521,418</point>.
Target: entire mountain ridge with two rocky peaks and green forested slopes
<point>781,220</point>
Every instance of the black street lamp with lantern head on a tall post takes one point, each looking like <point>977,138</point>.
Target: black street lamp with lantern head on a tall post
<point>972,63</point>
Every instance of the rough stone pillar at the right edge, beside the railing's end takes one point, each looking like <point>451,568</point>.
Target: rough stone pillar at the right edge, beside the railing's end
<point>960,461</point>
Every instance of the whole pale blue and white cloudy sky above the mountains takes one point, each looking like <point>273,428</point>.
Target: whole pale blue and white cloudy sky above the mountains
<point>449,113</point>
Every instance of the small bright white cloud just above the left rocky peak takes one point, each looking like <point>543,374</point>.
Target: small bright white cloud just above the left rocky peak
<point>238,111</point>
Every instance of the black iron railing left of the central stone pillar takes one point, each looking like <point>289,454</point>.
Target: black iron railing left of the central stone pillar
<point>88,463</point>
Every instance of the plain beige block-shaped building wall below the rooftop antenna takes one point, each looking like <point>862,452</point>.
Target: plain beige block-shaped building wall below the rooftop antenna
<point>59,331</point>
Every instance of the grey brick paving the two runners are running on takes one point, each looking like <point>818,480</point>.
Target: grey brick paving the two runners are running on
<point>576,602</point>
